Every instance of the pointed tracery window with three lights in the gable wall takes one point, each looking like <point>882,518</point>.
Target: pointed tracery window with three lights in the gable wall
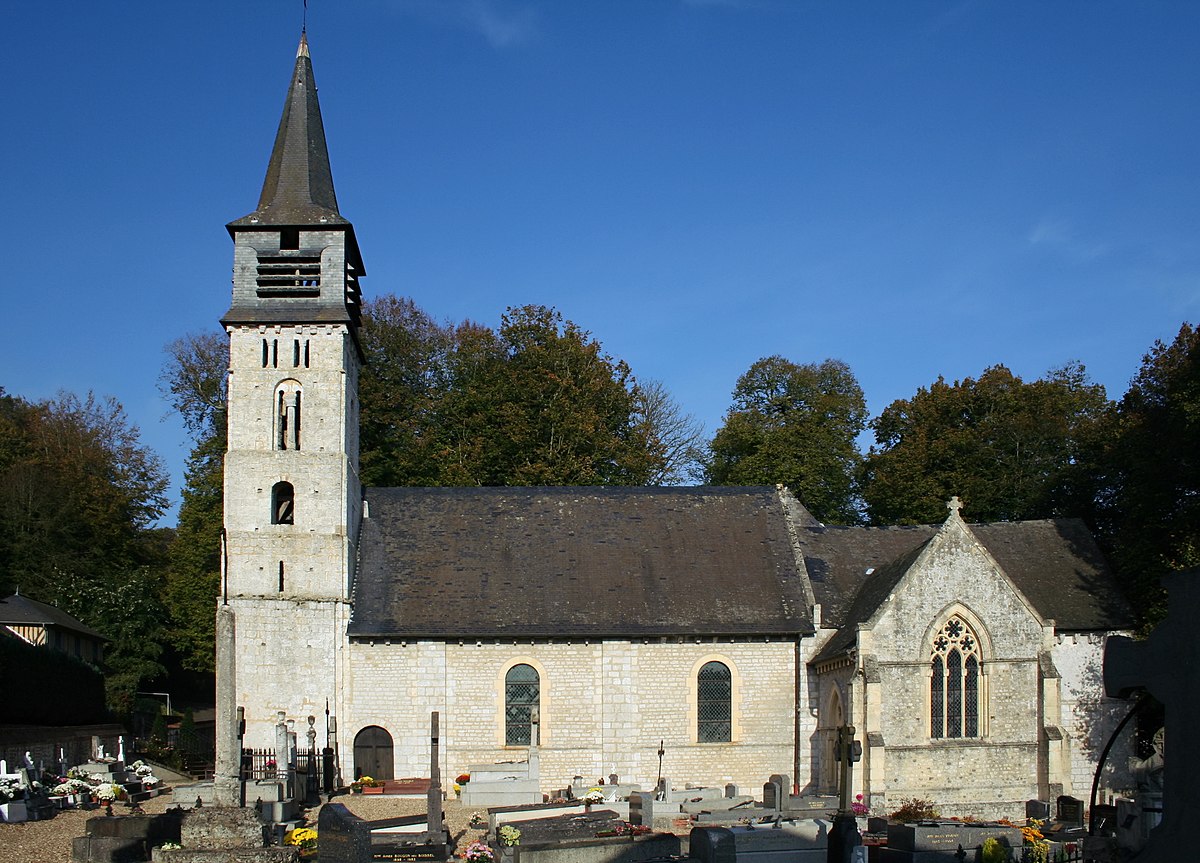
<point>955,682</point>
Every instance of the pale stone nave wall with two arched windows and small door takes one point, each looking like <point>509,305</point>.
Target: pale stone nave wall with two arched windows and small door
<point>605,708</point>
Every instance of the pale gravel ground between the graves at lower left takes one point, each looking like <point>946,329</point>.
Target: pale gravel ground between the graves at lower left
<point>50,842</point>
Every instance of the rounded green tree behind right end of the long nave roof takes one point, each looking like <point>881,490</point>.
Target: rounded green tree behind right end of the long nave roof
<point>795,424</point>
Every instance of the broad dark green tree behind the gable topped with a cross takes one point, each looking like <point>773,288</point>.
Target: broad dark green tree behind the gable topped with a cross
<point>1010,450</point>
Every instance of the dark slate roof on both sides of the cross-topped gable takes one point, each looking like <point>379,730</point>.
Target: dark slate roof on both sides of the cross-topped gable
<point>1055,564</point>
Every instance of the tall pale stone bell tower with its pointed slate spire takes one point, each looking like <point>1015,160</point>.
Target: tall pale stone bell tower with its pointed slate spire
<point>292,492</point>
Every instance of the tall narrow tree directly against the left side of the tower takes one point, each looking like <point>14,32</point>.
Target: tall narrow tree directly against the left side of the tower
<point>194,382</point>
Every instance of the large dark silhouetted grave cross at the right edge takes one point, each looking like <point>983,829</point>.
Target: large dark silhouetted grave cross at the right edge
<point>1168,667</point>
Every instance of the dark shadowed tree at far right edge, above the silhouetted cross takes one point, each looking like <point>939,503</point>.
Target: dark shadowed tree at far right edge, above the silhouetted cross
<point>1149,484</point>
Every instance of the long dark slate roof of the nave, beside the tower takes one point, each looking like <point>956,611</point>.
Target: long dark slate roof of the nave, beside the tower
<point>579,562</point>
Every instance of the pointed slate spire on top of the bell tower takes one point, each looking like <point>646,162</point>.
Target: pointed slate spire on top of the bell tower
<point>299,185</point>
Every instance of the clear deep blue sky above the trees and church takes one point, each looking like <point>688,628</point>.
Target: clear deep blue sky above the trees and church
<point>917,189</point>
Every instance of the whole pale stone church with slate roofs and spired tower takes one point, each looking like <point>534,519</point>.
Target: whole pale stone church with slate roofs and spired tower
<point>727,627</point>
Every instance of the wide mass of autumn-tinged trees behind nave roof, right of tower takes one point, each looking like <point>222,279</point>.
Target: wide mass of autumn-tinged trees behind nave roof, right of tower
<point>537,403</point>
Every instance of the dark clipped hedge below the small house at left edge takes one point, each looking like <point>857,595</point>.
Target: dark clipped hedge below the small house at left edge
<point>46,687</point>
